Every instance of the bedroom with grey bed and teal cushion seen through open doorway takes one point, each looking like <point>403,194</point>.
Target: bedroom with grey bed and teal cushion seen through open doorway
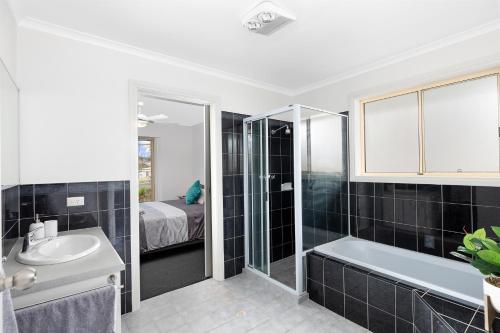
<point>172,206</point>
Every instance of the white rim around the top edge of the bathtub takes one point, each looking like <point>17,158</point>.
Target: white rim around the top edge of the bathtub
<point>443,291</point>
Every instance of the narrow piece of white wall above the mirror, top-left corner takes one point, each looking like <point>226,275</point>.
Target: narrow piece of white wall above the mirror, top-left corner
<point>8,38</point>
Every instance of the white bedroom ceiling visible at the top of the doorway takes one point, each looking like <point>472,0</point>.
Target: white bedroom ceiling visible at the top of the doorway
<point>178,113</point>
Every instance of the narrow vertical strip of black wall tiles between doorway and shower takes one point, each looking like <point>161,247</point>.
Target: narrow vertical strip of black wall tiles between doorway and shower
<point>233,204</point>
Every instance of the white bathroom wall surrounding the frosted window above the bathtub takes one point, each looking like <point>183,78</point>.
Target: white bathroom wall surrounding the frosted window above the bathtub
<point>474,54</point>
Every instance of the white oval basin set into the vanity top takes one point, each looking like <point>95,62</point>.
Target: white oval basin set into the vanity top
<point>59,250</point>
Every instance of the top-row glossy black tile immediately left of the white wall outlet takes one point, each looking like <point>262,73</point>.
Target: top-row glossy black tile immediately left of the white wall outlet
<point>50,199</point>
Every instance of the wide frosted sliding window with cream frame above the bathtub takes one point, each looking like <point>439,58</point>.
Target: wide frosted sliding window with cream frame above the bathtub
<point>446,128</point>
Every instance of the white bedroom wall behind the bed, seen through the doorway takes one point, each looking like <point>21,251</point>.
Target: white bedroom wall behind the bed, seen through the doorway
<point>176,164</point>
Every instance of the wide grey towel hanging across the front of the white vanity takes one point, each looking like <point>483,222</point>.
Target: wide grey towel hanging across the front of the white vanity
<point>88,312</point>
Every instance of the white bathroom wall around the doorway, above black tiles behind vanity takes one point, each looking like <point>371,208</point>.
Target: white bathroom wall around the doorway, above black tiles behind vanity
<point>75,105</point>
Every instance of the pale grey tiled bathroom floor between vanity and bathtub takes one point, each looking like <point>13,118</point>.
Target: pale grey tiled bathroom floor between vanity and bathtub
<point>245,303</point>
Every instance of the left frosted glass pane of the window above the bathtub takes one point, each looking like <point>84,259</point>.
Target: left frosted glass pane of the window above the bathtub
<point>391,134</point>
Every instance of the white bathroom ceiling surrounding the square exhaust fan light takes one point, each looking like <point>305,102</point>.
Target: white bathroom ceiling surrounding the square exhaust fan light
<point>329,38</point>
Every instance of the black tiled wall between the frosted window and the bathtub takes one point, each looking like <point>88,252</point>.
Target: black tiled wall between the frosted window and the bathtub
<point>427,218</point>
